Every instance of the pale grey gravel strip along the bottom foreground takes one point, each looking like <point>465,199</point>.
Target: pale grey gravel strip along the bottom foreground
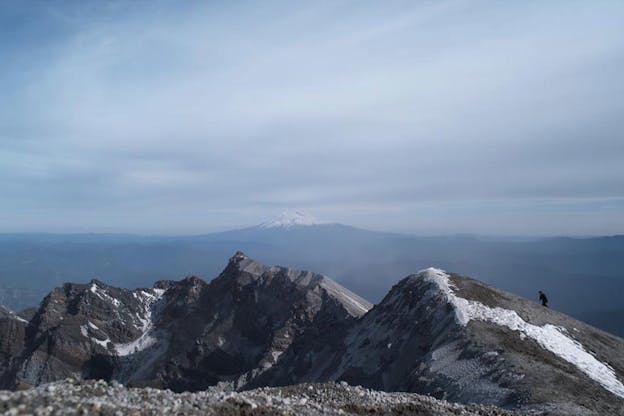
<point>71,397</point>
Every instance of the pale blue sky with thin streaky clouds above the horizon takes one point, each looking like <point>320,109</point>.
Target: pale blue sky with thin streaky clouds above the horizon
<point>429,117</point>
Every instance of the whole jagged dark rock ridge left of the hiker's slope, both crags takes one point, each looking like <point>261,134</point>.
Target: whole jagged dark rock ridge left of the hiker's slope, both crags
<point>186,335</point>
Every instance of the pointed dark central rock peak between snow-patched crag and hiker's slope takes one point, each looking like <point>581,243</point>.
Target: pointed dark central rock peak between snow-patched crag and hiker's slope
<point>237,327</point>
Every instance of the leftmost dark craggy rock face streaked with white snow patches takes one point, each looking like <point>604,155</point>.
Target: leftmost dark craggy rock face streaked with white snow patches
<point>76,330</point>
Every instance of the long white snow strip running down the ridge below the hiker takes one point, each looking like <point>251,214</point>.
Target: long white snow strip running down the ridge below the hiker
<point>549,336</point>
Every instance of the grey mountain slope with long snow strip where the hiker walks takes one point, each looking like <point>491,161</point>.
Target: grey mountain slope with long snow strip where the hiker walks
<point>461,340</point>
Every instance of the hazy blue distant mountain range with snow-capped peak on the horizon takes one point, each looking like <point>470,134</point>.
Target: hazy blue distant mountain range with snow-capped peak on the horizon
<point>583,277</point>
